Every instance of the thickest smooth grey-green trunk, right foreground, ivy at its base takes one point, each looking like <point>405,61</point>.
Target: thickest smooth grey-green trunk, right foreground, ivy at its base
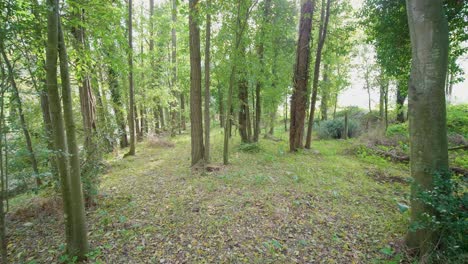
<point>427,112</point>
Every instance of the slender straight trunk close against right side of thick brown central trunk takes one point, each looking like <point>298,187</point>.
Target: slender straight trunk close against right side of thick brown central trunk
<point>207,82</point>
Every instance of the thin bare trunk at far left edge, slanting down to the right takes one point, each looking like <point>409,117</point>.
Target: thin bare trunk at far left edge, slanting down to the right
<point>19,105</point>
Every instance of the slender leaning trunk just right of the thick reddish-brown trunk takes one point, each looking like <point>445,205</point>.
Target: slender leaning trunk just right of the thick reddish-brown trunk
<point>324,18</point>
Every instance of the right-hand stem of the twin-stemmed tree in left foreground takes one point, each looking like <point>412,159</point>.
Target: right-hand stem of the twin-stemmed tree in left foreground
<point>79,241</point>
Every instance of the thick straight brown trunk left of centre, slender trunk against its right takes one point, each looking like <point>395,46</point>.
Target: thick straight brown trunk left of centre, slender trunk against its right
<point>196,118</point>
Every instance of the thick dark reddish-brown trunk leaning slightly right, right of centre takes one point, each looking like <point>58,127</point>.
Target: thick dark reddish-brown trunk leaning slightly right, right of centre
<point>301,77</point>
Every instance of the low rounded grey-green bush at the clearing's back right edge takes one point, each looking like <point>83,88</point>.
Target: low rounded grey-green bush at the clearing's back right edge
<point>335,128</point>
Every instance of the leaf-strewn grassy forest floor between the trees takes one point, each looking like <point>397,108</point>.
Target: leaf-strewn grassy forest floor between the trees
<point>326,205</point>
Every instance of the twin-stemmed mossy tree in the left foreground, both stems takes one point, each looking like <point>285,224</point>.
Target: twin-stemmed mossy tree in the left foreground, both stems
<point>69,172</point>
